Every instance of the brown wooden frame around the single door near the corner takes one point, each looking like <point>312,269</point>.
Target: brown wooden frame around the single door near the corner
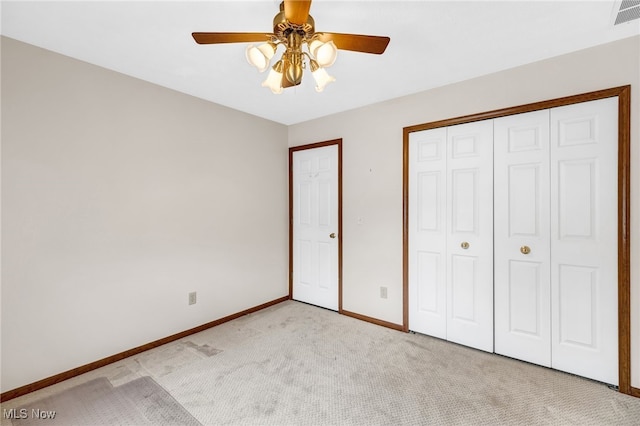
<point>337,142</point>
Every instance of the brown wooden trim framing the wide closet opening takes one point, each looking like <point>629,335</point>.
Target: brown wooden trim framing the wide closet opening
<point>624,200</point>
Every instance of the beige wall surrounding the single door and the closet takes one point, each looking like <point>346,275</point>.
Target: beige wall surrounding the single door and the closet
<point>372,163</point>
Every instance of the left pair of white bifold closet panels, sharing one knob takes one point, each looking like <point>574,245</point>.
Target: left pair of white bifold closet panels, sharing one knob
<point>451,233</point>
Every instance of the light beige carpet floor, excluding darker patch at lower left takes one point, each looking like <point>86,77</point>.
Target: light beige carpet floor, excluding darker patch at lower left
<point>295,364</point>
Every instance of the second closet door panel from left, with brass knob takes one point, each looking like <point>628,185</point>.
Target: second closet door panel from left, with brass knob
<point>469,224</point>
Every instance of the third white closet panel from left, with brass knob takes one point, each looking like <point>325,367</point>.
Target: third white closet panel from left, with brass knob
<point>521,214</point>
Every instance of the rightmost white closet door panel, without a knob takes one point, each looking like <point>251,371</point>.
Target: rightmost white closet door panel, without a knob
<point>584,274</point>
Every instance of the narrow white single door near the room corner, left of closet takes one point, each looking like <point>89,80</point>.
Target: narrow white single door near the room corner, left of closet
<point>315,226</point>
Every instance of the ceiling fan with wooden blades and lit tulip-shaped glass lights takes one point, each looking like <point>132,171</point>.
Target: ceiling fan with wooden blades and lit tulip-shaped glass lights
<point>294,28</point>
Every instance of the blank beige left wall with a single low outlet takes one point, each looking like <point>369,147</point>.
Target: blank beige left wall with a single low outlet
<point>119,198</point>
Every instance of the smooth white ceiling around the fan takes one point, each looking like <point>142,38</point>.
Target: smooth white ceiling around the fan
<point>433,43</point>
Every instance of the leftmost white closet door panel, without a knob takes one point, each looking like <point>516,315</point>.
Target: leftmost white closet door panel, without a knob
<point>427,232</point>
